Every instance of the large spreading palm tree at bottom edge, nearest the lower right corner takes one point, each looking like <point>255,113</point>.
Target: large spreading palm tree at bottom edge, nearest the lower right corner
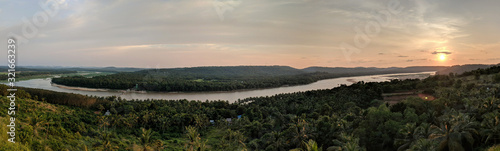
<point>456,128</point>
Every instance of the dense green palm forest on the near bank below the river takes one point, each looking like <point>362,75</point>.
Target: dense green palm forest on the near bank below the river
<point>465,116</point>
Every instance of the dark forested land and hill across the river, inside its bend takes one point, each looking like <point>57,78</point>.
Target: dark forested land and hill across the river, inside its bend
<point>221,78</point>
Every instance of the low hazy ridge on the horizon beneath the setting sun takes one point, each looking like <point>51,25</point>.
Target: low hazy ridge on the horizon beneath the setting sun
<point>341,70</point>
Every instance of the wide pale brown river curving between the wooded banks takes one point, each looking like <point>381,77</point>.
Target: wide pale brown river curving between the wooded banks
<point>230,96</point>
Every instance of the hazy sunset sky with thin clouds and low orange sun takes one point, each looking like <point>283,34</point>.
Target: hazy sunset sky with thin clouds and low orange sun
<point>297,33</point>
